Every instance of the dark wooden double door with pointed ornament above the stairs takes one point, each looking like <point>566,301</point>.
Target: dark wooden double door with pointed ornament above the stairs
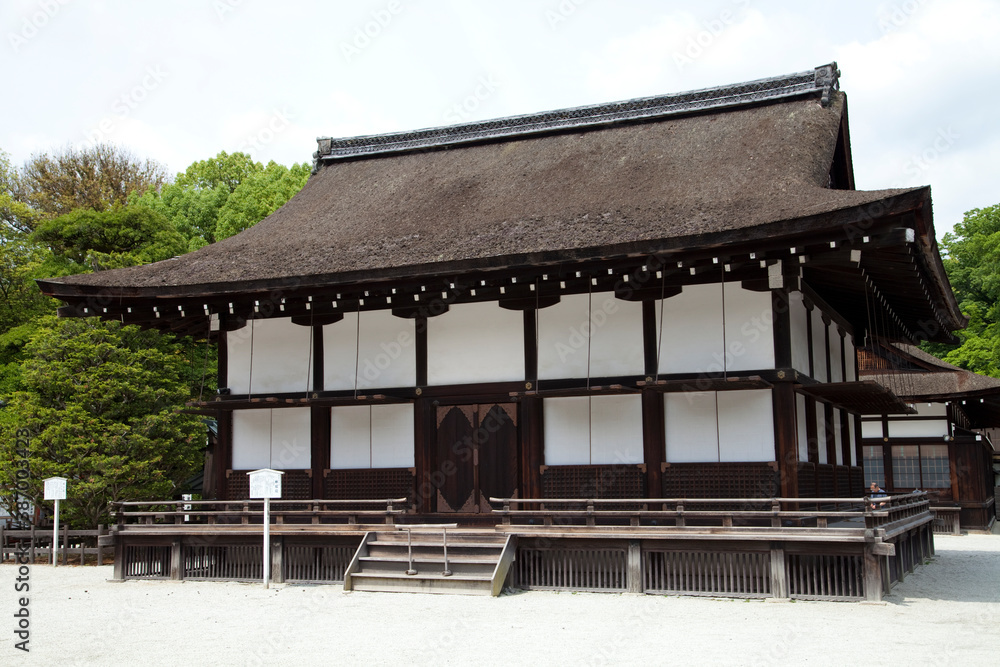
<point>476,456</point>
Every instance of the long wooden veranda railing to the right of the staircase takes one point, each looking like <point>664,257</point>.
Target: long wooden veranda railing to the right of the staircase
<point>888,512</point>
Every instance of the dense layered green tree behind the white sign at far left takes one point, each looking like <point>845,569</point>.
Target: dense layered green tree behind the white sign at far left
<point>99,408</point>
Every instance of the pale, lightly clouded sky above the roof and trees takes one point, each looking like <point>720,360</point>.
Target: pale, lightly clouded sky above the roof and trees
<point>180,81</point>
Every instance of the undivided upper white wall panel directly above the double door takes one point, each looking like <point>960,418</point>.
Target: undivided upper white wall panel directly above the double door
<point>475,342</point>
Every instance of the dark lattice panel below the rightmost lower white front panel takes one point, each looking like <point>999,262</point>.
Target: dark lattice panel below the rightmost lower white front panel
<point>720,480</point>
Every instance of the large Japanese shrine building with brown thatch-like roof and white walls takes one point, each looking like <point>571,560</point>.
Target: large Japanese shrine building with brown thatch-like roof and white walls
<point>661,297</point>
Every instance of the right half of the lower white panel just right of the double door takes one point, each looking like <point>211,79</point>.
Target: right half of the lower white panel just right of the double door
<point>616,429</point>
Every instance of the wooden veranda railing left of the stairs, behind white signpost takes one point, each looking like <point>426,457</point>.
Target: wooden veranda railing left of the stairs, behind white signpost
<point>243,512</point>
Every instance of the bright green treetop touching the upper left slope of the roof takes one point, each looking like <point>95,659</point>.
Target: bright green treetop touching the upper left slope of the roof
<point>259,196</point>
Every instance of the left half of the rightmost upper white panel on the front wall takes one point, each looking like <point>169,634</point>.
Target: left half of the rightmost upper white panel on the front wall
<point>691,335</point>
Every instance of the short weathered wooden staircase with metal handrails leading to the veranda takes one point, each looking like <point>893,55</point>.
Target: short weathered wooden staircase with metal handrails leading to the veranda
<point>477,561</point>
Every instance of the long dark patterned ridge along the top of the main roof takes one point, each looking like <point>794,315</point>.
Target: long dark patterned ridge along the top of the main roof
<point>824,79</point>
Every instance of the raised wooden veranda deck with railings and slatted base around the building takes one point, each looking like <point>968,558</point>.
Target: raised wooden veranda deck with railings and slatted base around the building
<point>815,548</point>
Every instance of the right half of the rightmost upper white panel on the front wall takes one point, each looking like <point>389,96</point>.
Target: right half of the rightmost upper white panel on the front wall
<point>749,329</point>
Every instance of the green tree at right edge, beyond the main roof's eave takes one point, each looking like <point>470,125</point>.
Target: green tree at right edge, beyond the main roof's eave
<point>972,261</point>
